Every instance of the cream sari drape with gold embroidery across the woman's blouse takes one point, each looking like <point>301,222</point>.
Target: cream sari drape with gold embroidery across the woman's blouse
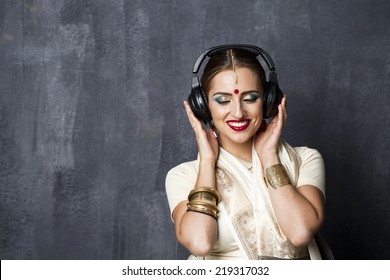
<point>245,200</point>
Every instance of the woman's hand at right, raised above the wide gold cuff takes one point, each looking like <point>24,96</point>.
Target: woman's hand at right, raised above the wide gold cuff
<point>268,137</point>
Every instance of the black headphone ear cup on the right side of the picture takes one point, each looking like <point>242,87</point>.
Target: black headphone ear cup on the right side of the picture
<point>272,97</point>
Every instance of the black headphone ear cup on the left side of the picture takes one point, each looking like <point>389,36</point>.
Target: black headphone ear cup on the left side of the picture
<point>198,103</point>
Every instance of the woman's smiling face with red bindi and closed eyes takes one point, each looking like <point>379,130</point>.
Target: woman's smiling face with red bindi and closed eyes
<point>236,108</point>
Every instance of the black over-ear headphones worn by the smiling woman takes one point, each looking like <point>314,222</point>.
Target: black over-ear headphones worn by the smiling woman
<point>198,99</point>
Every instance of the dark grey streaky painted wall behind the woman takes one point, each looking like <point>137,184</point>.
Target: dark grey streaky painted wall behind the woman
<point>91,116</point>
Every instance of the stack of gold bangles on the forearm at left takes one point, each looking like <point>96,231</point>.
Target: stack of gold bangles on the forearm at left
<point>204,200</point>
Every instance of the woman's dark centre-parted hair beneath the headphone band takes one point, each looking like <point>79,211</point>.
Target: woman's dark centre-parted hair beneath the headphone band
<point>222,60</point>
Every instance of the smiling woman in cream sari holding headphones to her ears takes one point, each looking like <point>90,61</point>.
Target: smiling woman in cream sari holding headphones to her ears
<point>249,195</point>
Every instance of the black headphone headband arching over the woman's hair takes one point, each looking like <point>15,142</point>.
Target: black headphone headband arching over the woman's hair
<point>251,48</point>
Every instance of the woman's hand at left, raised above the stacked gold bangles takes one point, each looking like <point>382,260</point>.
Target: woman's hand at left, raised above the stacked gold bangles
<point>207,143</point>
